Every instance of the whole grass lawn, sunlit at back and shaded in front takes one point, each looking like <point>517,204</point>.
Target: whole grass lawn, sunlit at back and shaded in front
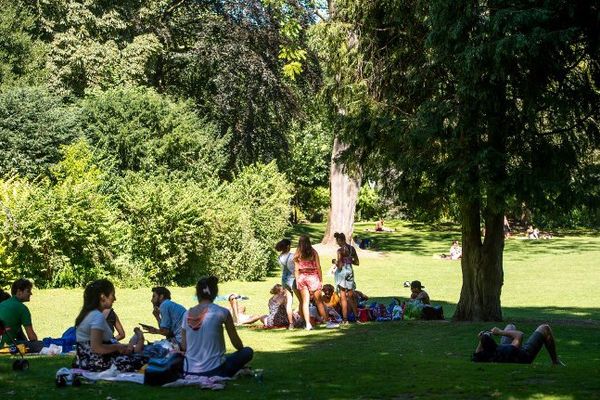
<point>553,281</point>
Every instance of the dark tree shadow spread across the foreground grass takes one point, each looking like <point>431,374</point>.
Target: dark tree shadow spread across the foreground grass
<point>377,360</point>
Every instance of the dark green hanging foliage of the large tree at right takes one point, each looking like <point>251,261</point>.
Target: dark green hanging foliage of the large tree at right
<point>494,102</point>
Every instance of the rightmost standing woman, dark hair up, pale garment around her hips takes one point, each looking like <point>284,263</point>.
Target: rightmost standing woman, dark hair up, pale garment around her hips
<point>344,276</point>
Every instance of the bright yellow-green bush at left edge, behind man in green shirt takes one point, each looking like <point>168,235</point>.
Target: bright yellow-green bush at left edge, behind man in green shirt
<point>61,234</point>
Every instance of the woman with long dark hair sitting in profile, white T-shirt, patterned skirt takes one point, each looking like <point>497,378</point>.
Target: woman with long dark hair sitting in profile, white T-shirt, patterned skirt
<point>95,351</point>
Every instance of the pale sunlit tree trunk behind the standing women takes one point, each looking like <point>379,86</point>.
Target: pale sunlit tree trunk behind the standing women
<point>343,192</point>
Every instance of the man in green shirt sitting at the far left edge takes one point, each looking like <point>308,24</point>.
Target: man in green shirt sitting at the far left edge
<point>16,317</point>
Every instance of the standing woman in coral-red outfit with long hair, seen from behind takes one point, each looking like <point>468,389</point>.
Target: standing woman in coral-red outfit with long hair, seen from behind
<point>309,278</point>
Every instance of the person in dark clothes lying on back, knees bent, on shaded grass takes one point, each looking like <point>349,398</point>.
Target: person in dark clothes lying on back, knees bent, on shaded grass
<point>511,348</point>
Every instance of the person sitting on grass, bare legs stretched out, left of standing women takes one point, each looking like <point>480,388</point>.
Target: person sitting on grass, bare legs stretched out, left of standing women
<point>277,316</point>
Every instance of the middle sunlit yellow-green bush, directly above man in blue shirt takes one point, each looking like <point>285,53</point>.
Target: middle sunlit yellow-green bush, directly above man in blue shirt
<point>169,227</point>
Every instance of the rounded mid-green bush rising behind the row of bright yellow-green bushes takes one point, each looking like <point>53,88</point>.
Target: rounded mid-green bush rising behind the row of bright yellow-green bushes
<point>137,129</point>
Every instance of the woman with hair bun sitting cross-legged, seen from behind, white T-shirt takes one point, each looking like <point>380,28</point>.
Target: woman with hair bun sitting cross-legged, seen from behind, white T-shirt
<point>202,336</point>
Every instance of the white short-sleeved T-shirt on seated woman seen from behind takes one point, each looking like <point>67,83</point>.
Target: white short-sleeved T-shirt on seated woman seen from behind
<point>205,347</point>
